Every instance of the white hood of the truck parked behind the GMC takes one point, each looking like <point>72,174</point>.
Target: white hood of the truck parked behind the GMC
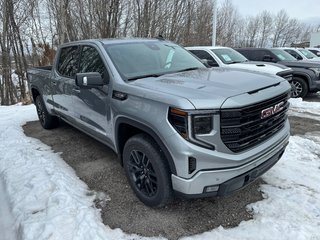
<point>260,67</point>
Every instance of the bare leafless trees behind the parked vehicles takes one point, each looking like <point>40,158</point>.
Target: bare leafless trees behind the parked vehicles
<point>31,30</point>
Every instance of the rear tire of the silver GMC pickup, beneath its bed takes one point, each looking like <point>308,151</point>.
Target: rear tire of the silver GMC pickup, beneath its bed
<point>47,121</point>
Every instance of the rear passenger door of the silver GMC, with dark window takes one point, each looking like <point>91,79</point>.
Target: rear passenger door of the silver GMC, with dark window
<point>63,82</point>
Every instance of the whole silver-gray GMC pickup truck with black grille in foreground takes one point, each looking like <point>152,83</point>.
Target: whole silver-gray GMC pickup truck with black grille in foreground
<point>178,128</point>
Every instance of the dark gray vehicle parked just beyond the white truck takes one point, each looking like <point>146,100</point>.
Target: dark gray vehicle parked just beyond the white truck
<point>306,74</point>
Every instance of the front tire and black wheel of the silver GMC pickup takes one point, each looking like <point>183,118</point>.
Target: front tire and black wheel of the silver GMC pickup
<point>147,171</point>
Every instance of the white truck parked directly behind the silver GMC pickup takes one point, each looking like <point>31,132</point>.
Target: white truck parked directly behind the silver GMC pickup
<point>228,57</point>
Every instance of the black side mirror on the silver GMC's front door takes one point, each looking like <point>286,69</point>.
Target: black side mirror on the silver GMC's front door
<point>89,80</point>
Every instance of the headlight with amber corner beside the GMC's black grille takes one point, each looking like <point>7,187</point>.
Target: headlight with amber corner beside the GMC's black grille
<point>190,124</point>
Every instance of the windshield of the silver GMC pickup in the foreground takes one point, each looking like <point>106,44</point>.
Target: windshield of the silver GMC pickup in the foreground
<point>136,60</point>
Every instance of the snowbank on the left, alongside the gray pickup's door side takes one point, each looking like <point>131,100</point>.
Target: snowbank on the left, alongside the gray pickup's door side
<point>47,199</point>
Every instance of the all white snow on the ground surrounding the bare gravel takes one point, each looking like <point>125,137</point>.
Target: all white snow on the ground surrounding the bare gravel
<point>46,200</point>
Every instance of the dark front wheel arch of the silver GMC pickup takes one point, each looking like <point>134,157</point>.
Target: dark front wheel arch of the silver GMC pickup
<point>126,128</point>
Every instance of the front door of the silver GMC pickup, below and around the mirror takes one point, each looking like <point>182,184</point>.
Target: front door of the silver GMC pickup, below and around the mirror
<point>92,106</point>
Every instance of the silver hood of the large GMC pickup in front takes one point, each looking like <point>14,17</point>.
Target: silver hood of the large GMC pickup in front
<point>208,88</point>
